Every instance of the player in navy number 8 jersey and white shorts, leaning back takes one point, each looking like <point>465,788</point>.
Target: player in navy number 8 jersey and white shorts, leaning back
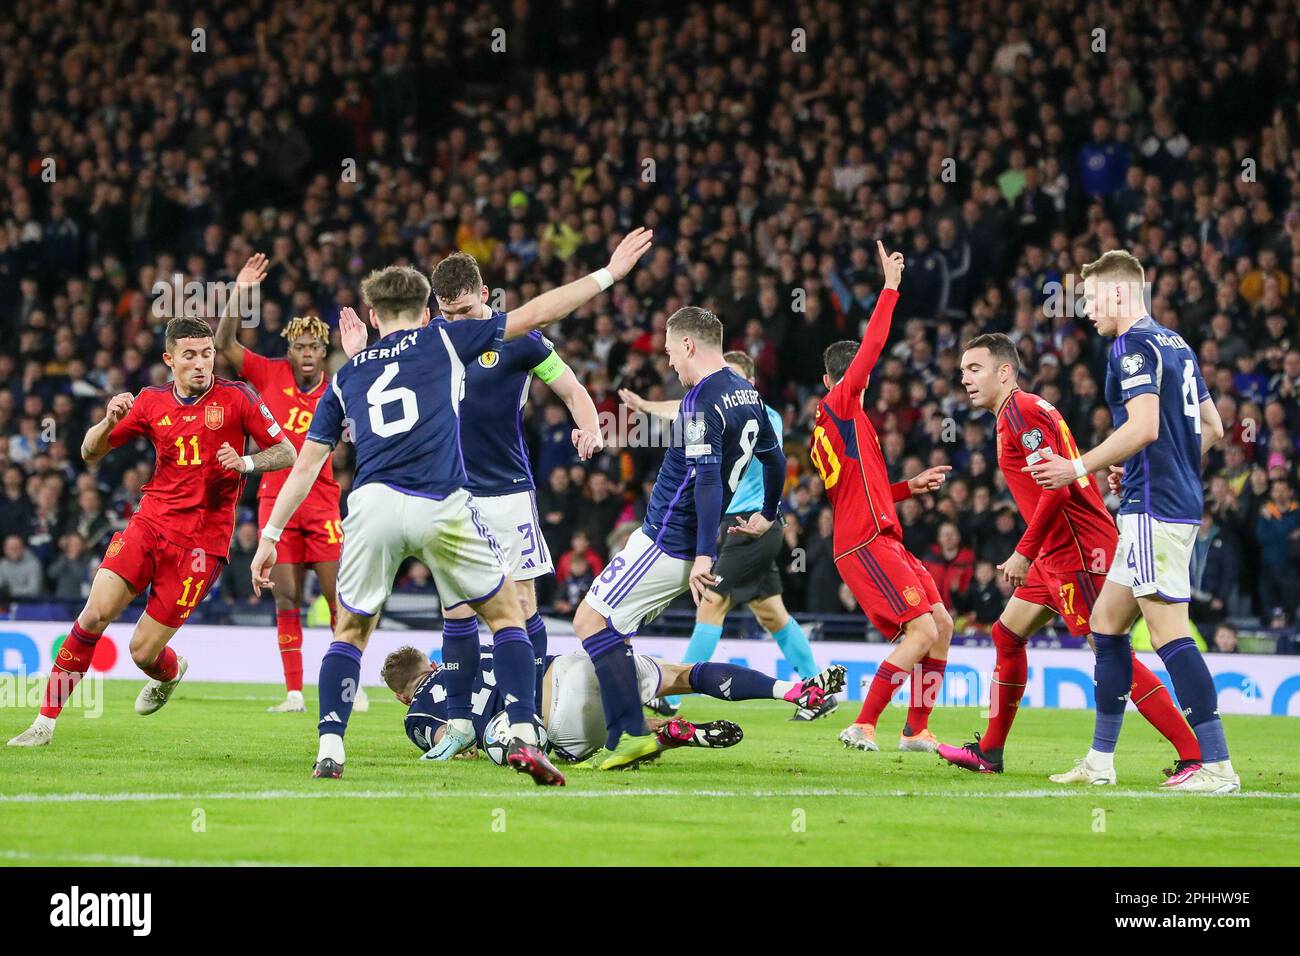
<point>721,427</point>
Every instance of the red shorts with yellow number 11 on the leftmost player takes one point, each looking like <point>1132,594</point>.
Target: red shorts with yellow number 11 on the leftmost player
<point>177,578</point>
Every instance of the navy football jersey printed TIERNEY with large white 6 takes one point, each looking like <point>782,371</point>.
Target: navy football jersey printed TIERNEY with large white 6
<point>400,401</point>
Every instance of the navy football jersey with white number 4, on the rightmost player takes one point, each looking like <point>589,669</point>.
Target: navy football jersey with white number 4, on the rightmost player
<point>1163,481</point>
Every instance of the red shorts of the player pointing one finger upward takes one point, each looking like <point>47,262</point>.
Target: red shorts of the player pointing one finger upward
<point>892,587</point>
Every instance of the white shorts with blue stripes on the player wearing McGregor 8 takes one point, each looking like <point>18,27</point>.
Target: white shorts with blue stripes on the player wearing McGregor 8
<point>638,585</point>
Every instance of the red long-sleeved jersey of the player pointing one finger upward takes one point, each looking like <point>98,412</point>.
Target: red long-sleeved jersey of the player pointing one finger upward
<point>847,449</point>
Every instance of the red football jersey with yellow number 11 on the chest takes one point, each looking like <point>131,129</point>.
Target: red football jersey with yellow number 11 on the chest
<point>192,500</point>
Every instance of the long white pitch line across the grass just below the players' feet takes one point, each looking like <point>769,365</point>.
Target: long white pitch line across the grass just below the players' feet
<point>522,794</point>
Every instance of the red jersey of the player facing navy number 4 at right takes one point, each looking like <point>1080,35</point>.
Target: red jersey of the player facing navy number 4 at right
<point>1069,529</point>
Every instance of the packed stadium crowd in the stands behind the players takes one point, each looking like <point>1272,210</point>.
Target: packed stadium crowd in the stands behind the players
<point>768,146</point>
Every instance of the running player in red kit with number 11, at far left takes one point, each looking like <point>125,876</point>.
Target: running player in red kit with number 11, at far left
<point>179,540</point>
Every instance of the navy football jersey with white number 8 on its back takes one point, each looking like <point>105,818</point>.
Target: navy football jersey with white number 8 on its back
<point>722,423</point>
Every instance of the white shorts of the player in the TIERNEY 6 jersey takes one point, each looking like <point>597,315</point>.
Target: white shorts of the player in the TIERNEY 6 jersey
<point>384,527</point>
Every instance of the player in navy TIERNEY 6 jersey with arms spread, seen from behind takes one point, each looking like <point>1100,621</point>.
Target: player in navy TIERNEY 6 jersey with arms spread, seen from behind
<point>400,400</point>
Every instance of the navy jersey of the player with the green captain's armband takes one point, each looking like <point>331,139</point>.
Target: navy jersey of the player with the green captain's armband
<point>492,413</point>
